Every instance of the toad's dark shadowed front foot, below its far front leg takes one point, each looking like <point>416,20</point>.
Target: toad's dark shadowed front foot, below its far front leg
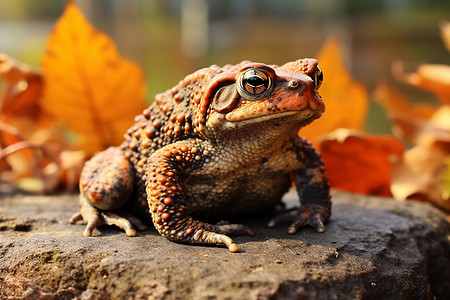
<point>313,215</point>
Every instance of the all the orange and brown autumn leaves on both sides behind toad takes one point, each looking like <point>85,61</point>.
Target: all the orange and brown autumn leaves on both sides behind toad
<point>85,87</point>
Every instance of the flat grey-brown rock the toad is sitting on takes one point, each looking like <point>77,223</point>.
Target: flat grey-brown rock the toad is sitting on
<point>373,249</point>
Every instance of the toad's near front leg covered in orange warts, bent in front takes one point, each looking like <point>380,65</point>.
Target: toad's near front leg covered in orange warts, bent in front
<point>167,197</point>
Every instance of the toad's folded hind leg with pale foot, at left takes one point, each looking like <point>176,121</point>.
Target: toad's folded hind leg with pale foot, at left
<point>106,183</point>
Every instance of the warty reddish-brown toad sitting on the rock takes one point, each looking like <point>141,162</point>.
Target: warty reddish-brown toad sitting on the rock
<point>222,143</point>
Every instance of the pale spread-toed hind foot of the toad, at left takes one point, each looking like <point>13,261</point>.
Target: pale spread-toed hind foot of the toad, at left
<point>95,217</point>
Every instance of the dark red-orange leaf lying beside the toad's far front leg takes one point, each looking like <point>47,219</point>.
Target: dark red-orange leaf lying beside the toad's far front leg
<point>360,163</point>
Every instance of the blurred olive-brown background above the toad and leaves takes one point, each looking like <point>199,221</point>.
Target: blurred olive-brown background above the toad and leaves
<point>172,38</point>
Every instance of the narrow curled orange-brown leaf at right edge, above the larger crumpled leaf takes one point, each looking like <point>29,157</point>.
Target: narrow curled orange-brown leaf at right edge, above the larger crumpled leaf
<point>432,78</point>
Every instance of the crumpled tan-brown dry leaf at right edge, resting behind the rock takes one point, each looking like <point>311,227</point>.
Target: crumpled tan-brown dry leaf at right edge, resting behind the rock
<point>423,171</point>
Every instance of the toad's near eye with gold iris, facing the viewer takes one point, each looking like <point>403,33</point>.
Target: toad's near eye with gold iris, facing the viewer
<point>254,83</point>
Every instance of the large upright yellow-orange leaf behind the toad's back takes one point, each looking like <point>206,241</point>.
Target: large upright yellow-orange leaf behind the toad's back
<point>88,84</point>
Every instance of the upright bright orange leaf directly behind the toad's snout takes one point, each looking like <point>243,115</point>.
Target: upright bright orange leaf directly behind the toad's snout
<point>345,99</point>
